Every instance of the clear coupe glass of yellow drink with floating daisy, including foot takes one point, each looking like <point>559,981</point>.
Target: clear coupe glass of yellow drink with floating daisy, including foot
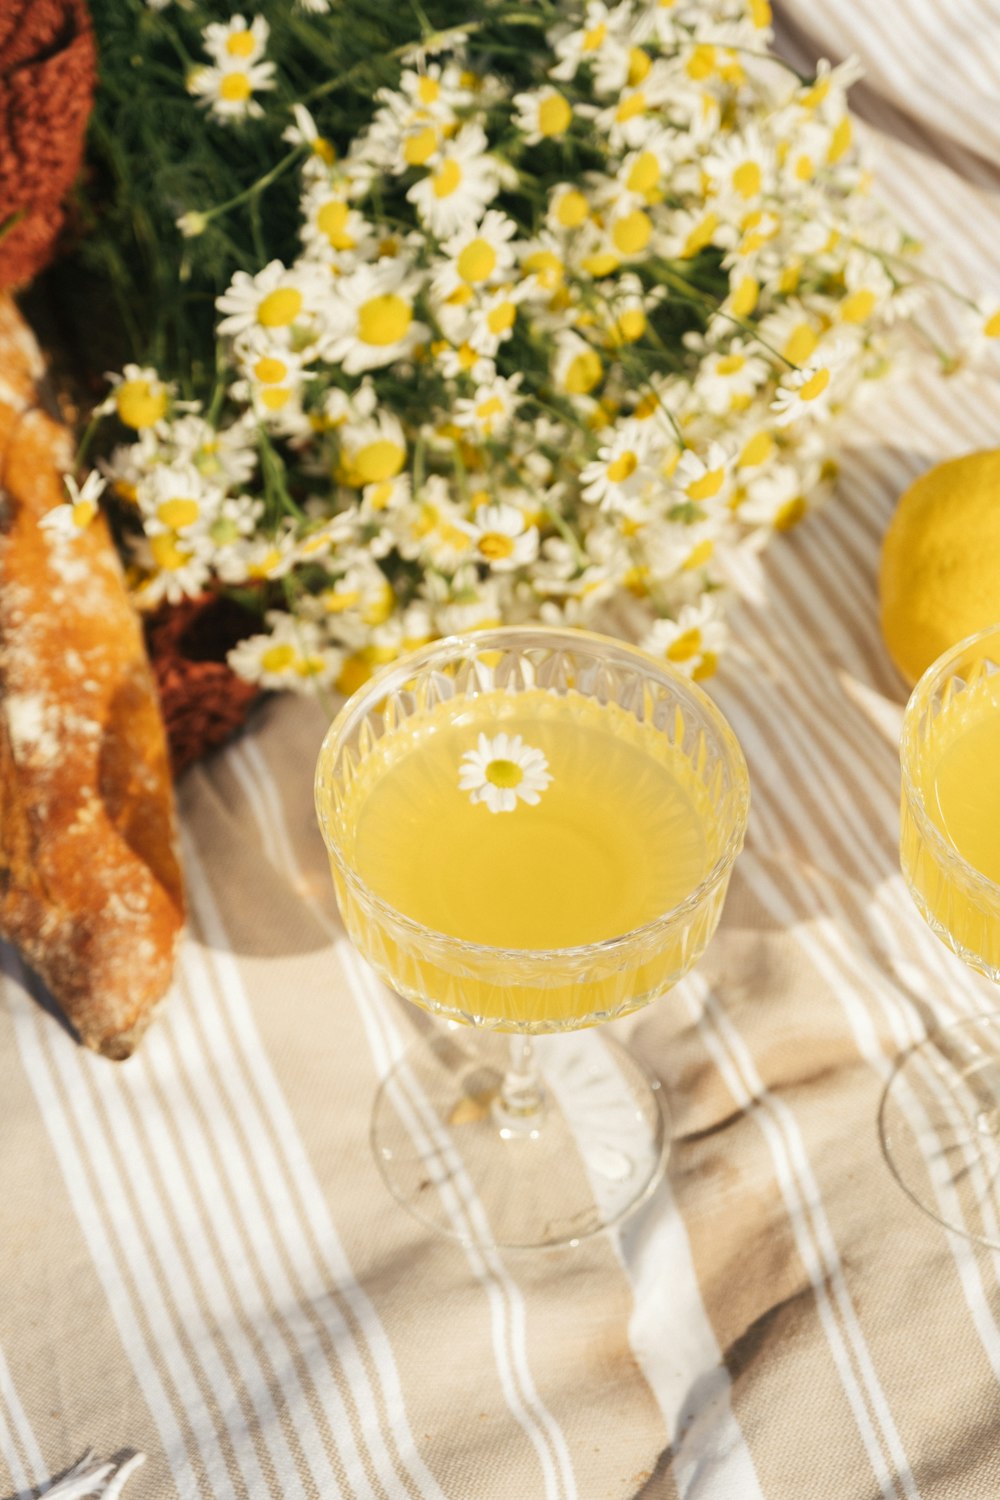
<point>488,1129</point>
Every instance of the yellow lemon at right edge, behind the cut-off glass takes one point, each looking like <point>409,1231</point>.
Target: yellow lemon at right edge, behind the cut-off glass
<point>939,578</point>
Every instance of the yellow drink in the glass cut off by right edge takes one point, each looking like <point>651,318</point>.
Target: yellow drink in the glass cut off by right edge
<point>962,793</point>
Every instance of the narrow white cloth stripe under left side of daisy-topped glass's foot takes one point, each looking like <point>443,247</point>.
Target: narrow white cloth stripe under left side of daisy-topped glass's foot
<point>507,1307</point>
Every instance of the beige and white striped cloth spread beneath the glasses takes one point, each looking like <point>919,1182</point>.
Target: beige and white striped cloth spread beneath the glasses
<point>199,1259</point>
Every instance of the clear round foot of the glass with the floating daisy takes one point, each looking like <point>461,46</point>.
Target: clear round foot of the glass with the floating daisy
<point>472,1169</point>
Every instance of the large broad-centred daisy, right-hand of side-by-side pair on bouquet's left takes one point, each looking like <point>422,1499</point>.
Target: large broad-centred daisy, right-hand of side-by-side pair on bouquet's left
<point>373,317</point>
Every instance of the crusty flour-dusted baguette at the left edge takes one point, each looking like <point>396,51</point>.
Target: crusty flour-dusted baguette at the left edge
<point>91,878</point>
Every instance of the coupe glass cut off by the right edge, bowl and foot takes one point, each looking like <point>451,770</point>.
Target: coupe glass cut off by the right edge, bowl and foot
<point>941,1112</point>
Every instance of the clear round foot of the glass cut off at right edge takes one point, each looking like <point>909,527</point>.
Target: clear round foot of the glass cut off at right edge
<point>941,1127</point>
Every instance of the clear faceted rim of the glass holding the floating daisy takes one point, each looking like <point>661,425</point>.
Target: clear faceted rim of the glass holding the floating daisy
<point>460,647</point>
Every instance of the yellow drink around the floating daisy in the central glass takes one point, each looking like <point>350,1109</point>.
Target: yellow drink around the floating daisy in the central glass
<point>623,835</point>
